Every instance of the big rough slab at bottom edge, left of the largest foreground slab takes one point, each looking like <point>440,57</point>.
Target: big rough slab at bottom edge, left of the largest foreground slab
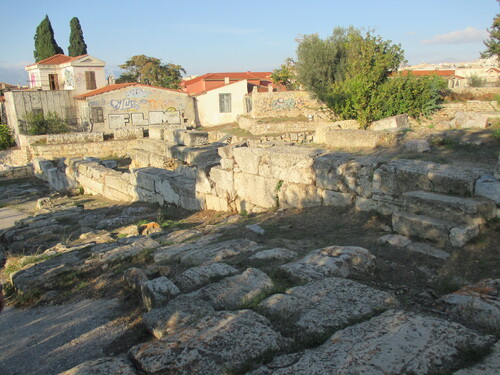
<point>213,345</point>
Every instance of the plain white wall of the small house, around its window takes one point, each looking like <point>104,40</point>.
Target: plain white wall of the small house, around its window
<point>208,104</point>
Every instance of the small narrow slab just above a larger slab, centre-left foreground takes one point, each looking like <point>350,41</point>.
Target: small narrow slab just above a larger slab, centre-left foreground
<point>197,277</point>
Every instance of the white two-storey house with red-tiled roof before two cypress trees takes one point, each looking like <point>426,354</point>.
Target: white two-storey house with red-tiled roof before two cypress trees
<point>80,74</point>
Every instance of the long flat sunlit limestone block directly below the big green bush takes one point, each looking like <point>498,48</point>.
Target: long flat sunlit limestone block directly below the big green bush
<point>350,138</point>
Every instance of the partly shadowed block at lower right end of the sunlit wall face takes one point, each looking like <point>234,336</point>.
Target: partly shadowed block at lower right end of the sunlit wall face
<point>299,196</point>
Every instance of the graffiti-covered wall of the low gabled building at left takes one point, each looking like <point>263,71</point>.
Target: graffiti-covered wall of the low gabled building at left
<point>139,106</point>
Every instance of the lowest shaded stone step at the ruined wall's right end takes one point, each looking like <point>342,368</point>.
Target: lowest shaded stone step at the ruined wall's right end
<point>444,232</point>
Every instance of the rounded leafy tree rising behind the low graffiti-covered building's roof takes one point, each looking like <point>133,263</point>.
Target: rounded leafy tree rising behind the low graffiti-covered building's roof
<point>150,70</point>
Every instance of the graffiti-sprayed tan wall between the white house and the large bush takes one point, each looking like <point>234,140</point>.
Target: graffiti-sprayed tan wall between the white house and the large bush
<point>288,104</point>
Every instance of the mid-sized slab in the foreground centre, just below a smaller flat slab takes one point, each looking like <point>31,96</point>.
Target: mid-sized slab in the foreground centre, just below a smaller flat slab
<point>235,291</point>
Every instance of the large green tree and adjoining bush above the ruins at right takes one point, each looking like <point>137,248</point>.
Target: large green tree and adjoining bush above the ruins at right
<point>350,71</point>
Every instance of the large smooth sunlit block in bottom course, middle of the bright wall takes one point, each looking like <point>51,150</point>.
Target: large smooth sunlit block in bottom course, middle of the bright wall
<point>257,190</point>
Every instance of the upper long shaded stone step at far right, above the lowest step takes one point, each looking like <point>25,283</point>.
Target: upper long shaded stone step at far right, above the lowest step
<point>446,207</point>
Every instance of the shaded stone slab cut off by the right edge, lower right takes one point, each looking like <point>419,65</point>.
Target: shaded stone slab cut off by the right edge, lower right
<point>478,303</point>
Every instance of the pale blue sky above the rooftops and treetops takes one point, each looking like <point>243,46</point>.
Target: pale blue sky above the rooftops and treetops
<point>216,36</point>
